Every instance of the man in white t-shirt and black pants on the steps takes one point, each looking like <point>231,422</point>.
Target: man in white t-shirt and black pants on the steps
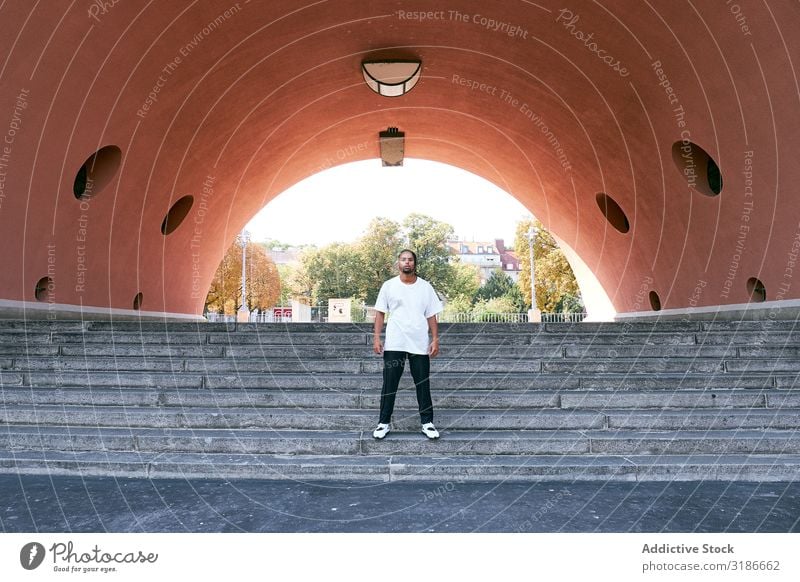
<point>412,304</point>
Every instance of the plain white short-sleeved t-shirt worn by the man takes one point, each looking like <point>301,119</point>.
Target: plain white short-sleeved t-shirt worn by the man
<point>410,306</point>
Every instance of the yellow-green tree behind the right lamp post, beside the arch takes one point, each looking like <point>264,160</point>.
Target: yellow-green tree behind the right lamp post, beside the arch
<point>554,277</point>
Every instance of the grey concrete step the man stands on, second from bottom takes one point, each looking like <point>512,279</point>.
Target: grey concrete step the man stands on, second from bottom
<point>453,442</point>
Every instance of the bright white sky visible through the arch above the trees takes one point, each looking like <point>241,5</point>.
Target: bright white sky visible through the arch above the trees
<point>310,213</point>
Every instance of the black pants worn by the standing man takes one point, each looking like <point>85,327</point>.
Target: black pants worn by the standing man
<point>393,366</point>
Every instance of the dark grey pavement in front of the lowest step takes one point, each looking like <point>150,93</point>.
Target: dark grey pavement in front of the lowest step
<point>71,504</point>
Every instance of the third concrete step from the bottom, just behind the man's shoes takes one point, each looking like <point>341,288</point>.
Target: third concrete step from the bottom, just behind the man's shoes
<point>404,419</point>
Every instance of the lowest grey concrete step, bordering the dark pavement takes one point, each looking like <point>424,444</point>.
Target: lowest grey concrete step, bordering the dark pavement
<point>378,468</point>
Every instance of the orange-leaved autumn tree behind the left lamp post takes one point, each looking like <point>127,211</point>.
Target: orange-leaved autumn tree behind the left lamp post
<point>263,281</point>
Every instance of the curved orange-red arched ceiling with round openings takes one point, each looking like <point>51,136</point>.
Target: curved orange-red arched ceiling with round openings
<point>608,122</point>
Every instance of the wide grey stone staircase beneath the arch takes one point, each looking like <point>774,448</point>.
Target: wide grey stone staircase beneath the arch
<point>644,401</point>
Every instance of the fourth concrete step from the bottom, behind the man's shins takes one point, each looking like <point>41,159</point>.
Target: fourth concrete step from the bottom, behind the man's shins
<point>369,398</point>
